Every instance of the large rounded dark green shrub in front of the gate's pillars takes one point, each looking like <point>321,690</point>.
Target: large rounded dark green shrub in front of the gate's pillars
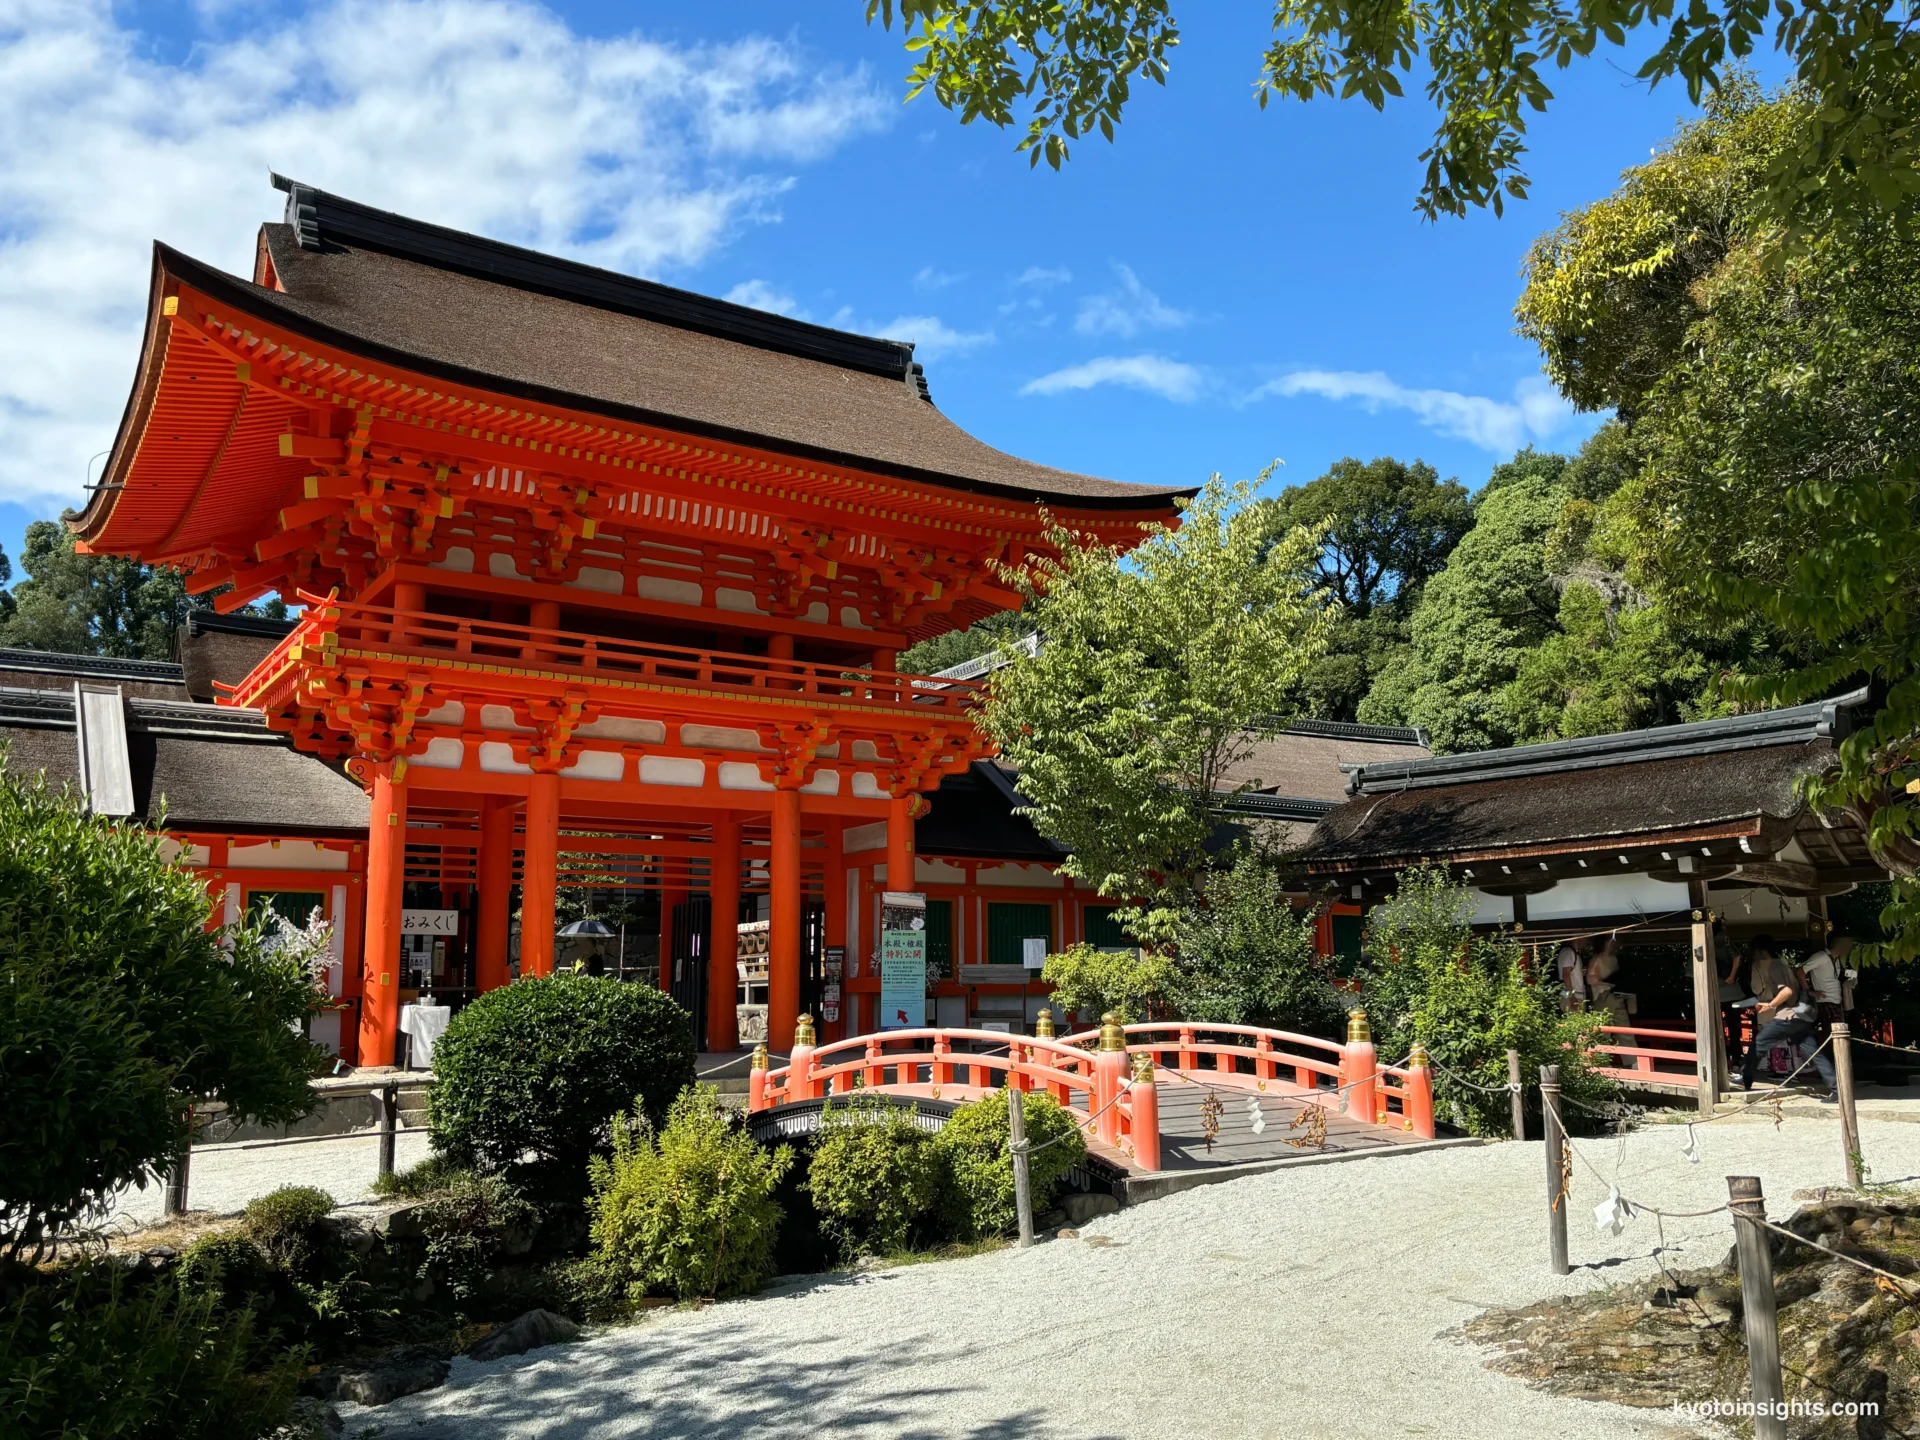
<point>539,1067</point>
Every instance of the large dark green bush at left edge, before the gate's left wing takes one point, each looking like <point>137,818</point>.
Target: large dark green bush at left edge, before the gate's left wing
<point>118,1009</point>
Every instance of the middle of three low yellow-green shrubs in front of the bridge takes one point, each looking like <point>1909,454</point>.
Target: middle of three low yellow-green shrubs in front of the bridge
<point>875,1178</point>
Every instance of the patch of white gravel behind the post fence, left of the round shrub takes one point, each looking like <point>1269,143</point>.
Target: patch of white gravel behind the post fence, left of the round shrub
<point>224,1178</point>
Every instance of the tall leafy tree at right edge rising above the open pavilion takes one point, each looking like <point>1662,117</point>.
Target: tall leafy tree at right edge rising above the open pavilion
<point>1779,444</point>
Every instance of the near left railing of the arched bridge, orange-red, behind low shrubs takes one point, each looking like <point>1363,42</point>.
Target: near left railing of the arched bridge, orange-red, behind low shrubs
<point>1107,1099</point>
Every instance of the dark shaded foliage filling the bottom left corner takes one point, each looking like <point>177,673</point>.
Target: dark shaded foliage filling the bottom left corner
<point>91,1353</point>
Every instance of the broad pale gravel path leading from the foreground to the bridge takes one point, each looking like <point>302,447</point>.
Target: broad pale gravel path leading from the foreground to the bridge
<point>1308,1303</point>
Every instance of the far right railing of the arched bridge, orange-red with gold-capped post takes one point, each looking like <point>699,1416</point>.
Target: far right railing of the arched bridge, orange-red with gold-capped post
<point>1253,1057</point>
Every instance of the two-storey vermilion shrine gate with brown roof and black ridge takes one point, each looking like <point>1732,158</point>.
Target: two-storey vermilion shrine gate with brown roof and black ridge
<point>604,585</point>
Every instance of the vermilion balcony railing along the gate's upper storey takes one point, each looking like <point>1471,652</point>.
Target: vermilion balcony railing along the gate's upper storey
<point>372,635</point>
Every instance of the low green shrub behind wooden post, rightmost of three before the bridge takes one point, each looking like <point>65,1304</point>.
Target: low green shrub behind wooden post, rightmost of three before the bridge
<point>978,1201</point>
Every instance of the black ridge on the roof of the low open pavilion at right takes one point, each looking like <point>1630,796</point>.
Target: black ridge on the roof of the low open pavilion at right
<point>1739,732</point>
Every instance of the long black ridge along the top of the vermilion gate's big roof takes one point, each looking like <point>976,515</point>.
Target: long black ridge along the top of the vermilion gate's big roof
<point>322,220</point>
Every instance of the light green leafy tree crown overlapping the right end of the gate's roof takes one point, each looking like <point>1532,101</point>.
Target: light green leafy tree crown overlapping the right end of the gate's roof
<point>1157,677</point>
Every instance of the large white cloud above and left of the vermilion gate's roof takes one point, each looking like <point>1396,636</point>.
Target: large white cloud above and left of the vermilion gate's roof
<point>491,116</point>
